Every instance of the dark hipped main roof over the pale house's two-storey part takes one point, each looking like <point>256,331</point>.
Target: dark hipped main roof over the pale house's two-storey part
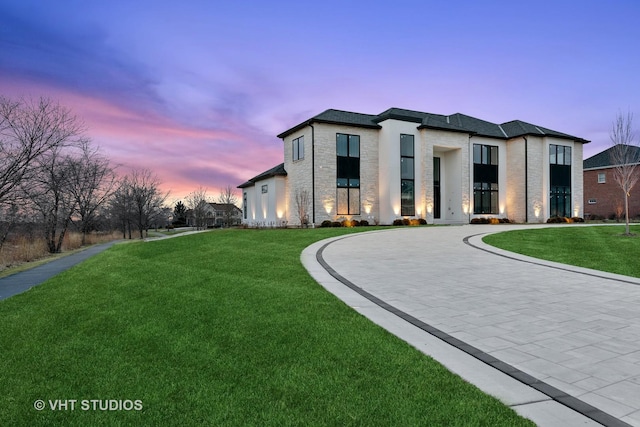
<point>454,123</point>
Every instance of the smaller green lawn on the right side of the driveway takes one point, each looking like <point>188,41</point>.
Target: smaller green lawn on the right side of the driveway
<point>599,247</point>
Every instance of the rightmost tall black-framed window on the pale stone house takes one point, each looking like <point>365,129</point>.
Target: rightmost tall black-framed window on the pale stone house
<point>560,180</point>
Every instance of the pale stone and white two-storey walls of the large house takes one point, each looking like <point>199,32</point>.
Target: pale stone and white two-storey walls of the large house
<point>457,163</point>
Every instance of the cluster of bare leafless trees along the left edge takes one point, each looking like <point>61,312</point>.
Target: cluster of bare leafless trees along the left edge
<point>52,176</point>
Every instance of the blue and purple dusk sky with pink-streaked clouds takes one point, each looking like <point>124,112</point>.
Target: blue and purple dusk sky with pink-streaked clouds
<point>197,91</point>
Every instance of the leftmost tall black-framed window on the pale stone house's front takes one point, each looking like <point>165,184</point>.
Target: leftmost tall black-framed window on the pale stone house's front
<point>348,174</point>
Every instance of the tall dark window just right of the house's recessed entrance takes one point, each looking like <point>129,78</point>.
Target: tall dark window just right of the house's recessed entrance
<point>485,179</point>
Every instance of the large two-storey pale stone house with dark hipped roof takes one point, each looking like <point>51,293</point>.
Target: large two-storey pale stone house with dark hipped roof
<point>410,164</point>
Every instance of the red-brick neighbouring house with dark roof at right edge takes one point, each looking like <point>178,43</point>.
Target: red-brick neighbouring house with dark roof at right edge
<point>603,197</point>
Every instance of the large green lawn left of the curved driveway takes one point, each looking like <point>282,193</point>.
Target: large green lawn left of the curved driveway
<point>223,328</point>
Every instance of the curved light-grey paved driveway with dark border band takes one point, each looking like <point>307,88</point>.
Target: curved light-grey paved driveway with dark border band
<point>559,344</point>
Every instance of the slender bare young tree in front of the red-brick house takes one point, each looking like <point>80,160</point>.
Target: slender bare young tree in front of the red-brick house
<point>625,156</point>
